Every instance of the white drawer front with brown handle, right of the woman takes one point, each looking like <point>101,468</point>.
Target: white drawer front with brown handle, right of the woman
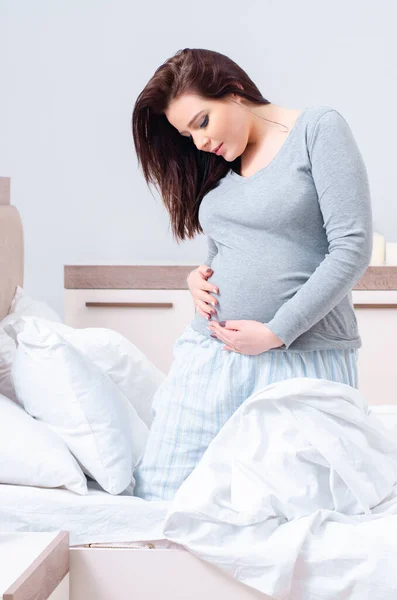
<point>377,363</point>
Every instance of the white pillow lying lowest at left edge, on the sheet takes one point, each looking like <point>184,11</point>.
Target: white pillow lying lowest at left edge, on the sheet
<point>32,454</point>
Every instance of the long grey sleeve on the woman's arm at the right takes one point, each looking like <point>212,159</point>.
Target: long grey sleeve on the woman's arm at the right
<point>341,181</point>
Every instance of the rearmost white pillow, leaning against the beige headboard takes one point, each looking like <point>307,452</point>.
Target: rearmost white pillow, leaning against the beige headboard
<point>21,305</point>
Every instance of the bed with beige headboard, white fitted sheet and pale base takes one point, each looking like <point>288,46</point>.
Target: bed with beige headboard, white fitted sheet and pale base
<point>117,546</point>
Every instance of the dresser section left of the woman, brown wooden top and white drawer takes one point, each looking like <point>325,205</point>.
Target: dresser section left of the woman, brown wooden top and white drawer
<point>149,305</point>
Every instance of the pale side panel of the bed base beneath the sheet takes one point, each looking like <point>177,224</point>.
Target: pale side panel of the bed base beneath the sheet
<point>113,573</point>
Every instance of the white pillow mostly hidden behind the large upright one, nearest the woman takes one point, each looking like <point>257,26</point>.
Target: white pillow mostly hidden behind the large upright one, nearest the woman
<point>126,365</point>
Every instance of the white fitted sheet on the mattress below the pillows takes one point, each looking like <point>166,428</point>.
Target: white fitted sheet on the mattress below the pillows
<point>96,517</point>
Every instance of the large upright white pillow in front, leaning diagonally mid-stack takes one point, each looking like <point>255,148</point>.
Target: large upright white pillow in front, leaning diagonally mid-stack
<point>60,386</point>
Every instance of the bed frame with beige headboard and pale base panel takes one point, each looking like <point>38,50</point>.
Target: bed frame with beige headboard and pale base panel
<point>124,571</point>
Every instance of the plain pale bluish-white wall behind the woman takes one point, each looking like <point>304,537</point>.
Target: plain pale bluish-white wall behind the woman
<point>70,72</point>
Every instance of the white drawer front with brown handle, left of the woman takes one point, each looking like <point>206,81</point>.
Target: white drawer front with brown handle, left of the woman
<point>151,319</point>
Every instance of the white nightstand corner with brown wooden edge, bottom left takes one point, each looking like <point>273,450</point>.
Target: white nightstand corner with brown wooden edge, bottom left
<point>34,566</point>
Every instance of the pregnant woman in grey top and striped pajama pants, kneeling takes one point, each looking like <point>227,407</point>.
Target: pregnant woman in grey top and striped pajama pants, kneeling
<point>283,198</point>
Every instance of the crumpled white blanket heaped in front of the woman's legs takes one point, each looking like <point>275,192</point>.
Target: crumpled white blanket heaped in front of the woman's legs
<point>297,496</point>
